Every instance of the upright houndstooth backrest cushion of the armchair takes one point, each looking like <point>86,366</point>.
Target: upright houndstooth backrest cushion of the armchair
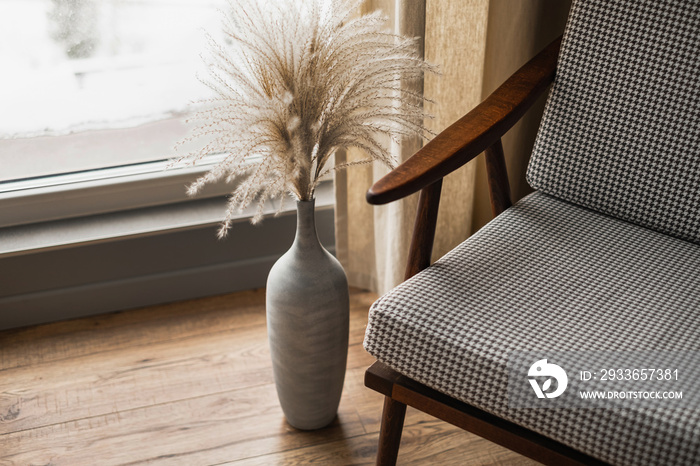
<point>621,130</point>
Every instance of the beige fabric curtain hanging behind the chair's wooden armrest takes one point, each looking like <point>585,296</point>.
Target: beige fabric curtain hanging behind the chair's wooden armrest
<point>476,44</point>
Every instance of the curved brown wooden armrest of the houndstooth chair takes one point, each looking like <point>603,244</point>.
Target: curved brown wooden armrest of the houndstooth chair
<point>473,133</point>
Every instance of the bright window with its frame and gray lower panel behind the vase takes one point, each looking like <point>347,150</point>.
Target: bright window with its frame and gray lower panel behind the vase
<point>92,98</point>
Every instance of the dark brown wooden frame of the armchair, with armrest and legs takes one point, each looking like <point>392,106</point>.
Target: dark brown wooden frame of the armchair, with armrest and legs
<point>478,131</point>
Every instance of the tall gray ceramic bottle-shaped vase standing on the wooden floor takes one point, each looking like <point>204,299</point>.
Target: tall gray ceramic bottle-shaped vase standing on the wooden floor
<point>308,326</point>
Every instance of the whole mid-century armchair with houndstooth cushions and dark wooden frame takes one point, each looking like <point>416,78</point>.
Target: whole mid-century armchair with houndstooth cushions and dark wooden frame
<point>603,256</point>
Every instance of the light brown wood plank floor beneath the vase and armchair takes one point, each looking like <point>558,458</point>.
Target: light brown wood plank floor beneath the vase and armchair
<point>191,383</point>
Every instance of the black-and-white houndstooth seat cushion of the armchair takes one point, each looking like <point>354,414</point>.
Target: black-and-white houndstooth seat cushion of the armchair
<point>550,275</point>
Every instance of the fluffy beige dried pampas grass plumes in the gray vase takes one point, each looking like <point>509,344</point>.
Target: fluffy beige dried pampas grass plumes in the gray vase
<point>295,81</point>
